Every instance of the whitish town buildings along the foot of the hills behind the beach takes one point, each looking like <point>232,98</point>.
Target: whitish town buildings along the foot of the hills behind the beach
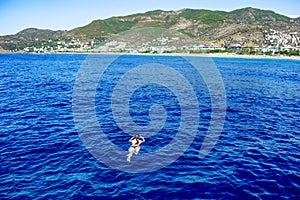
<point>275,42</point>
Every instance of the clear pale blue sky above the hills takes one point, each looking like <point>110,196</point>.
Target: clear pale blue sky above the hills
<point>16,15</point>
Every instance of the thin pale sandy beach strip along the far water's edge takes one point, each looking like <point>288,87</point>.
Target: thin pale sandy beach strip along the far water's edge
<point>212,55</point>
